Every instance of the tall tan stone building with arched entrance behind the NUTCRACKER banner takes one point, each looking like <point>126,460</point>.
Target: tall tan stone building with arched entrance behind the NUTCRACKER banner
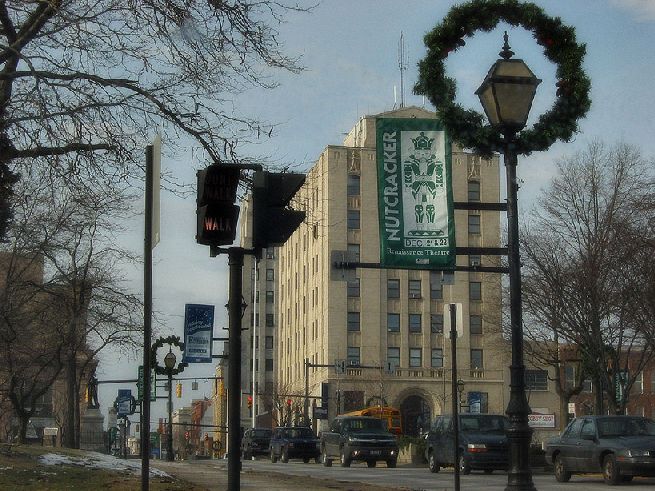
<point>386,324</point>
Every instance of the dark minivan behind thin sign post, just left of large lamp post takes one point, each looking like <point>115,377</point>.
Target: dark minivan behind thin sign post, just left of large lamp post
<point>482,443</point>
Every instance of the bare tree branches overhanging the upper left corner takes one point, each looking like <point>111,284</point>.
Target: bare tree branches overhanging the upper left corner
<point>84,82</point>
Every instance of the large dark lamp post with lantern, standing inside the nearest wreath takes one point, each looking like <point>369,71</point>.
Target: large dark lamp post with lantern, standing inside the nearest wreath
<point>506,95</point>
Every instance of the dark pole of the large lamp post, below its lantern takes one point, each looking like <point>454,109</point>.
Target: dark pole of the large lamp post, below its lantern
<point>519,475</point>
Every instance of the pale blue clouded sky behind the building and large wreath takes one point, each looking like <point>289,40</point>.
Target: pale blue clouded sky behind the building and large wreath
<point>349,49</point>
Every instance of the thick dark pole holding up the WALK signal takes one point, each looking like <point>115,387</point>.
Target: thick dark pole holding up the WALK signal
<point>235,262</point>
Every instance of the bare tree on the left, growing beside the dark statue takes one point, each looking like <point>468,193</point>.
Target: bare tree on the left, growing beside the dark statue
<point>71,226</point>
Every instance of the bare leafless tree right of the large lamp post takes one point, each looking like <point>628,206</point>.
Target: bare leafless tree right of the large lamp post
<point>576,258</point>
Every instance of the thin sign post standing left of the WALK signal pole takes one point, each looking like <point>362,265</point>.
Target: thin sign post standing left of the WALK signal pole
<point>147,323</point>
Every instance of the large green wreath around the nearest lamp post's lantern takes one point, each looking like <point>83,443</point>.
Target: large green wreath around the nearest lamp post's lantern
<point>467,126</point>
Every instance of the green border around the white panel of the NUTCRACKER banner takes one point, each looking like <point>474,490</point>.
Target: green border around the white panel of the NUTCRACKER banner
<point>386,151</point>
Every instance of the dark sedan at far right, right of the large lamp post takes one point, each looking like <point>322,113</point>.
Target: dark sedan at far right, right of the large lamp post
<point>620,447</point>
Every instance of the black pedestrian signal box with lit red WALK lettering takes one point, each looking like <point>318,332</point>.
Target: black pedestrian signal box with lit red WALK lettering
<point>216,212</point>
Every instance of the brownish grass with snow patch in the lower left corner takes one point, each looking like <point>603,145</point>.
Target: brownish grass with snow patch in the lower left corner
<point>20,469</point>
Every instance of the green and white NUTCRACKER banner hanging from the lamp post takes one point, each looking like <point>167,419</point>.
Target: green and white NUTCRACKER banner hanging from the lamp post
<point>415,196</point>
